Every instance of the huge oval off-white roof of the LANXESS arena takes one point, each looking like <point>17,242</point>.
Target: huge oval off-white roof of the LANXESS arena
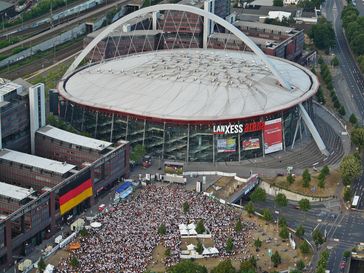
<point>189,85</point>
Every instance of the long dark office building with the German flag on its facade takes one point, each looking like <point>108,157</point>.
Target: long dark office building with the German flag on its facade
<point>61,191</point>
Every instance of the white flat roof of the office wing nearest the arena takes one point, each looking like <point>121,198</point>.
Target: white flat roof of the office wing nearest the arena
<point>72,138</point>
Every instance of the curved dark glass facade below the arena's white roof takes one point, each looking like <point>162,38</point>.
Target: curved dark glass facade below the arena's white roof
<point>182,142</point>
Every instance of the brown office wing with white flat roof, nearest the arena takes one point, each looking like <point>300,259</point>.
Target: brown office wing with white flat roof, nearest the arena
<point>60,145</point>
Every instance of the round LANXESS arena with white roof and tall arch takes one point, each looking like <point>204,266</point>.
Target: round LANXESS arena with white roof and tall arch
<point>201,93</point>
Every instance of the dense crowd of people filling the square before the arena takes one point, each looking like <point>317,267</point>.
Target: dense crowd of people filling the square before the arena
<point>129,233</point>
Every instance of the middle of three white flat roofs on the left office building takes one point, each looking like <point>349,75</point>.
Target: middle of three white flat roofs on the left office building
<point>36,161</point>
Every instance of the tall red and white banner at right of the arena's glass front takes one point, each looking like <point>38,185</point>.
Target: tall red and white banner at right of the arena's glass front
<point>273,140</point>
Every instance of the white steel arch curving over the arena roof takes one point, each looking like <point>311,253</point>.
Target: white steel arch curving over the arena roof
<point>184,8</point>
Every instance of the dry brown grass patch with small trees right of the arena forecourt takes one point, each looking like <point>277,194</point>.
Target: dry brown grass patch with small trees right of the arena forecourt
<point>331,182</point>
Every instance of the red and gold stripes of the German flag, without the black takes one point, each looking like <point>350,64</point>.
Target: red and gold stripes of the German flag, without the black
<point>75,196</point>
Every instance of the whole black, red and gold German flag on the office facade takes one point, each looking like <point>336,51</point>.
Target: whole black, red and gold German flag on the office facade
<point>74,193</point>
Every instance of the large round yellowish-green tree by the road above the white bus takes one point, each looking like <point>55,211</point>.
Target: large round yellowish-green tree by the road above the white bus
<point>350,169</point>
